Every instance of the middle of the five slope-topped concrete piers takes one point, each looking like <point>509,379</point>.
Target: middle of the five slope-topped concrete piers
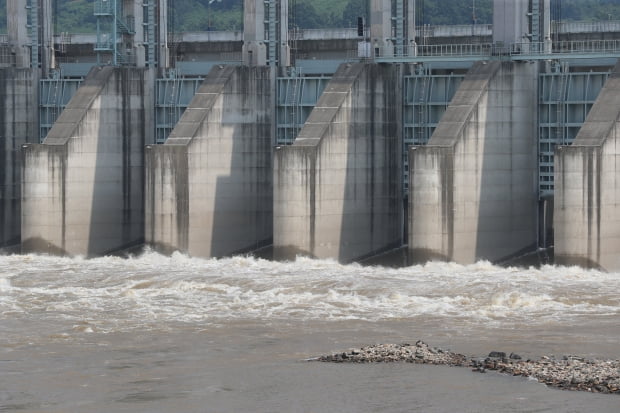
<point>337,190</point>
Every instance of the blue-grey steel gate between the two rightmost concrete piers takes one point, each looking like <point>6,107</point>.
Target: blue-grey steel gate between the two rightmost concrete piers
<point>565,99</point>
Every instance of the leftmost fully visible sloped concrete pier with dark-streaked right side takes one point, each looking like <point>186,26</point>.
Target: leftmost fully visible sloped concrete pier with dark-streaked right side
<point>82,189</point>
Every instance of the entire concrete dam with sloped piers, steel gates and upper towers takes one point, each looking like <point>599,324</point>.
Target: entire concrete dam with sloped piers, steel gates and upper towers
<point>459,143</point>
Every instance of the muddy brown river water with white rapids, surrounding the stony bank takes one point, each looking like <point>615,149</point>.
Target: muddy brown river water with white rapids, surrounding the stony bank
<point>177,334</point>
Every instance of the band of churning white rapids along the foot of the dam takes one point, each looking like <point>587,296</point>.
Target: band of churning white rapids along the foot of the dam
<point>151,290</point>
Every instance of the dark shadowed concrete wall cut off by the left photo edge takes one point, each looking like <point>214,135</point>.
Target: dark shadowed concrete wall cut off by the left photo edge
<point>18,125</point>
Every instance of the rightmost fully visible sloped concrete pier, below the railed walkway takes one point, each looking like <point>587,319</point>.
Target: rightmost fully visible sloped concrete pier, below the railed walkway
<point>473,188</point>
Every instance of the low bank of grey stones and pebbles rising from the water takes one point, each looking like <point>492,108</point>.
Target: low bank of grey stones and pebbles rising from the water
<point>568,372</point>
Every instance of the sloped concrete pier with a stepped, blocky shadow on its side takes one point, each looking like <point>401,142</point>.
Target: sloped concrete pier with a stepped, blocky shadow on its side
<point>209,187</point>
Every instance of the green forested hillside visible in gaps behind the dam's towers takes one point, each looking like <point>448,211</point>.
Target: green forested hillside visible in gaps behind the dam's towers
<point>199,15</point>
